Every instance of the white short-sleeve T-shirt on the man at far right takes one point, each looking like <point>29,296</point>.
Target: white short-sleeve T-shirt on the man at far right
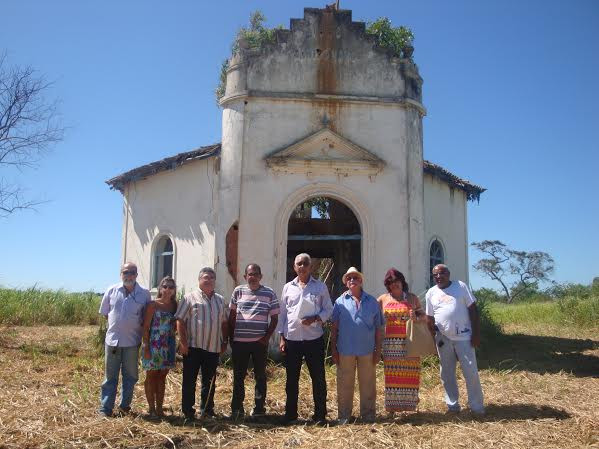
<point>449,307</point>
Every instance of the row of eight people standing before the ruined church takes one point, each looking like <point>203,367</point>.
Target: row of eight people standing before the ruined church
<point>363,329</point>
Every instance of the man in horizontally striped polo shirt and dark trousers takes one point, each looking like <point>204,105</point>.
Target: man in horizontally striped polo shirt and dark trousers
<point>251,307</point>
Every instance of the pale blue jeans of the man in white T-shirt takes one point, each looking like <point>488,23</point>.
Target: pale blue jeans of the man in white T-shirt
<point>450,351</point>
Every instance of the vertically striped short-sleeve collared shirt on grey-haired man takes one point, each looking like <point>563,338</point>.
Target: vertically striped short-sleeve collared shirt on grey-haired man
<point>203,316</point>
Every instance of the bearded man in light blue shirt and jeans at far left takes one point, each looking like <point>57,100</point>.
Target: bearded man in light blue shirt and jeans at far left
<point>123,305</point>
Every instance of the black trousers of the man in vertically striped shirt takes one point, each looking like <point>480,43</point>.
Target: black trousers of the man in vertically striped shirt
<point>198,359</point>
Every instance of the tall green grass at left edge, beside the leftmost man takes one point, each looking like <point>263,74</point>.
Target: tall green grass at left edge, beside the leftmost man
<point>36,306</point>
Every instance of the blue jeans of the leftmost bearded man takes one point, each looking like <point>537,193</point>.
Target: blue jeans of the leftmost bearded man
<point>117,359</point>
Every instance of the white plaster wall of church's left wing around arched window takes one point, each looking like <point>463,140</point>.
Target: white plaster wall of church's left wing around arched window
<point>179,203</point>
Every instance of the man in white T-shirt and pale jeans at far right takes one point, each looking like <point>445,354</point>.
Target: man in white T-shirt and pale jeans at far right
<point>454,319</point>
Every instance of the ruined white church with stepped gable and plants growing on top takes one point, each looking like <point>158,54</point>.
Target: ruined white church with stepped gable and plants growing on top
<point>321,117</point>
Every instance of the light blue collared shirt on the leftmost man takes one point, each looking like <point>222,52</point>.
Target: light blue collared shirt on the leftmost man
<point>125,313</point>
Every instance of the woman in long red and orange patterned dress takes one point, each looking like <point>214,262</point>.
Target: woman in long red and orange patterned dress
<point>402,374</point>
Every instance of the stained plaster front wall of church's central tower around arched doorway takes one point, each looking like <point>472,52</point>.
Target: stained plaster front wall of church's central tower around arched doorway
<point>324,73</point>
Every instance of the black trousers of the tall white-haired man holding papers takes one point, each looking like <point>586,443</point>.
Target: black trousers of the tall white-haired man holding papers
<point>313,352</point>
